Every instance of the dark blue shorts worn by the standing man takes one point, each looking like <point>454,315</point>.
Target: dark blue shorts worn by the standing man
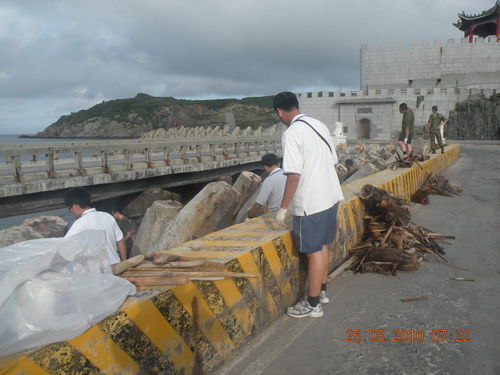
<point>311,232</point>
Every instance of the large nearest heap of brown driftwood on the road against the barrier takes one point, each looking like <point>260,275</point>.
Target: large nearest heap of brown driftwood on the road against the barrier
<point>392,242</point>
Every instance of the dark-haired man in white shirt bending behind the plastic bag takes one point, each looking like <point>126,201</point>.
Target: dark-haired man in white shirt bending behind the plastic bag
<point>78,202</point>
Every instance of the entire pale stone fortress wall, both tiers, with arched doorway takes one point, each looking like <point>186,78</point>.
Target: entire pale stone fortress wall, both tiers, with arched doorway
<point>419,75</point>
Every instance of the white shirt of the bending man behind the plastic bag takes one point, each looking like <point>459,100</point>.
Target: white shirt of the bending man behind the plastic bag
<point>92,219</point>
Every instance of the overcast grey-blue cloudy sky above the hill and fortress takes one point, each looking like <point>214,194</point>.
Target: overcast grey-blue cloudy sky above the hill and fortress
<point>58,57</point>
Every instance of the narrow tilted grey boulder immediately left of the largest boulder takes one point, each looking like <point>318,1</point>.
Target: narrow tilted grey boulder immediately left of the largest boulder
<point>156,218</point>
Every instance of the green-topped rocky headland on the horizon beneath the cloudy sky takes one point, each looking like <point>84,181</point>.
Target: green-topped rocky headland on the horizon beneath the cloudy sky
<point>132,117</point>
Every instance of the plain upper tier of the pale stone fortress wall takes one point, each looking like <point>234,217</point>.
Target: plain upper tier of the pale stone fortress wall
<point>441,65</point>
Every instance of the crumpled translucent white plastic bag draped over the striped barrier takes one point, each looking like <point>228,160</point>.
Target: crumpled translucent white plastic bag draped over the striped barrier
<point>54,289</point>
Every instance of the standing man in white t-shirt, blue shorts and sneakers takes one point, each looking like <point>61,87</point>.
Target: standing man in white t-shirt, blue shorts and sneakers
<point>309,159</point>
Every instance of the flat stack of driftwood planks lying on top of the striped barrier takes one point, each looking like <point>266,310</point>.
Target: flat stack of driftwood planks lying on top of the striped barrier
<point>158,270</point>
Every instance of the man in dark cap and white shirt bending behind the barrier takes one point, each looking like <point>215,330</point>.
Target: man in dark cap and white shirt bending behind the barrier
<point>272,187</point>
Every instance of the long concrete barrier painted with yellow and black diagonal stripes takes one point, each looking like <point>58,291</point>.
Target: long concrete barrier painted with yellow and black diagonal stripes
<point>193,328</point>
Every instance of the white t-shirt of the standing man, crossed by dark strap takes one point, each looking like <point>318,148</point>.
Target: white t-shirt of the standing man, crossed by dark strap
<point>306,154</point>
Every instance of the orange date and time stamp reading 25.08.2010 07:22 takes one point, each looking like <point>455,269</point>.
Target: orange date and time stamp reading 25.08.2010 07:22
<point>407,335</point>
